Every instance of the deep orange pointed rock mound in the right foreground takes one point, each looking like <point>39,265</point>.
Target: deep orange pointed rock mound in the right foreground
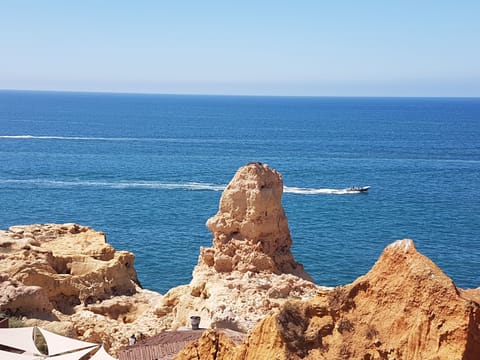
<point>404,308</point>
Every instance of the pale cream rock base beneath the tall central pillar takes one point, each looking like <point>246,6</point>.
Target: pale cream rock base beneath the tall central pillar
<point>235,301</point>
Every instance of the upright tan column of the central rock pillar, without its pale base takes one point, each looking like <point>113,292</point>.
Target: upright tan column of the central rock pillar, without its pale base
<point>250,230</point>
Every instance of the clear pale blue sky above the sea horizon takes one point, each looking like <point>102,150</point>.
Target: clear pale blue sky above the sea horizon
<point>262,47</point>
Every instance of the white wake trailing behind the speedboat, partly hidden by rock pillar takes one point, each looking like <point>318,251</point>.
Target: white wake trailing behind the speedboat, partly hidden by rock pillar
<point>155,185</point>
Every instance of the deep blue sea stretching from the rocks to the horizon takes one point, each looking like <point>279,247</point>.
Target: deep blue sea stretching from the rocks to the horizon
<point>148,170</point>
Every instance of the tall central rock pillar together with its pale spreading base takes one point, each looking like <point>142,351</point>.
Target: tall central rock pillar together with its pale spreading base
<point>250,269</point>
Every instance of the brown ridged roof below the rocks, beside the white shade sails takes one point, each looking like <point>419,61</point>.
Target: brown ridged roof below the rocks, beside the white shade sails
<point>165,345</point>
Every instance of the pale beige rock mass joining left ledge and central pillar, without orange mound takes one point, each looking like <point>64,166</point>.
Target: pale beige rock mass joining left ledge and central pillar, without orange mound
<point>69,276</point>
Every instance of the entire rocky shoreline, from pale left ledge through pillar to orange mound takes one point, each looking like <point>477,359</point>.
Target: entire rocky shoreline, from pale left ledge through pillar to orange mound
<point>67,279</point>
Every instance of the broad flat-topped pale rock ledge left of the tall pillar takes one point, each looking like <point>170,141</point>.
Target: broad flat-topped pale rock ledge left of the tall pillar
<point>69,276</point>
